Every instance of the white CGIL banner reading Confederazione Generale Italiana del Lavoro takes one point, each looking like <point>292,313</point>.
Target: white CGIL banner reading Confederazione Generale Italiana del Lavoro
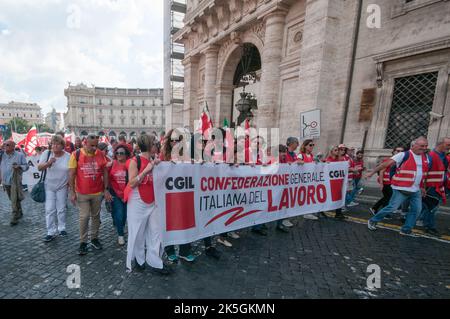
<point>196,201</point>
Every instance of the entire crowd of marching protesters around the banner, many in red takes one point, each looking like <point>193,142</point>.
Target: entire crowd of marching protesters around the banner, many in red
<point>119,173</point>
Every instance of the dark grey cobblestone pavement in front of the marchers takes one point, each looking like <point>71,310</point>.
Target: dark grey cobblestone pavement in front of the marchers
<point>317,259</point>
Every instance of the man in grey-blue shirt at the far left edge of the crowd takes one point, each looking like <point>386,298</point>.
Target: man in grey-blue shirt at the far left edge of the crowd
<point>12,165</point>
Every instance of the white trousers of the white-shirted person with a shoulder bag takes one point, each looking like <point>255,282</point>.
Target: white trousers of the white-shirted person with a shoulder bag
<point>55,210</point>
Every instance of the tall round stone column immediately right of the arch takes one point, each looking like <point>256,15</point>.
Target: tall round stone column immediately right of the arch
<point>268,101</point>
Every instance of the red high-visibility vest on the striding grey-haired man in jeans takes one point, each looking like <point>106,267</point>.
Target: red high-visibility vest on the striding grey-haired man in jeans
<point>405,175</point>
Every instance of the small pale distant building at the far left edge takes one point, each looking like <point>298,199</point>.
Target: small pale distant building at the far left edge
<point>28,111</point>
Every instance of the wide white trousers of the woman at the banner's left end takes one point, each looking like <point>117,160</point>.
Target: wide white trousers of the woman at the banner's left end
<point>144,233</point>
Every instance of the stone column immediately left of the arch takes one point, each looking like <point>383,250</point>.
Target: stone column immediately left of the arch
<point>211,61</point>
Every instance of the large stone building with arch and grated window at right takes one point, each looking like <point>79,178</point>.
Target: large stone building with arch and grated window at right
<point>377,69</point>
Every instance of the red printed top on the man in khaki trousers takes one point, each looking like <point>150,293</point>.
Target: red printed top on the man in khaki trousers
<point>89,178</point>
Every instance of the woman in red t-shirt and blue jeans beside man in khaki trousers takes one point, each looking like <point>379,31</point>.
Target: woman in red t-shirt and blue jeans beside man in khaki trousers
<point>117,184</point>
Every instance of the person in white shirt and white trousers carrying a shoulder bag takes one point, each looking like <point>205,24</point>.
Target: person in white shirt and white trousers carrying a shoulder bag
<point>56,163</point>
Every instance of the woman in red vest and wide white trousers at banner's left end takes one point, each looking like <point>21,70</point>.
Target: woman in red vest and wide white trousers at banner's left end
<point>144,224</point>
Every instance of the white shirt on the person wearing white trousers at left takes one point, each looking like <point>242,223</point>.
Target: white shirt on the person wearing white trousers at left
<point>58,174</point>
